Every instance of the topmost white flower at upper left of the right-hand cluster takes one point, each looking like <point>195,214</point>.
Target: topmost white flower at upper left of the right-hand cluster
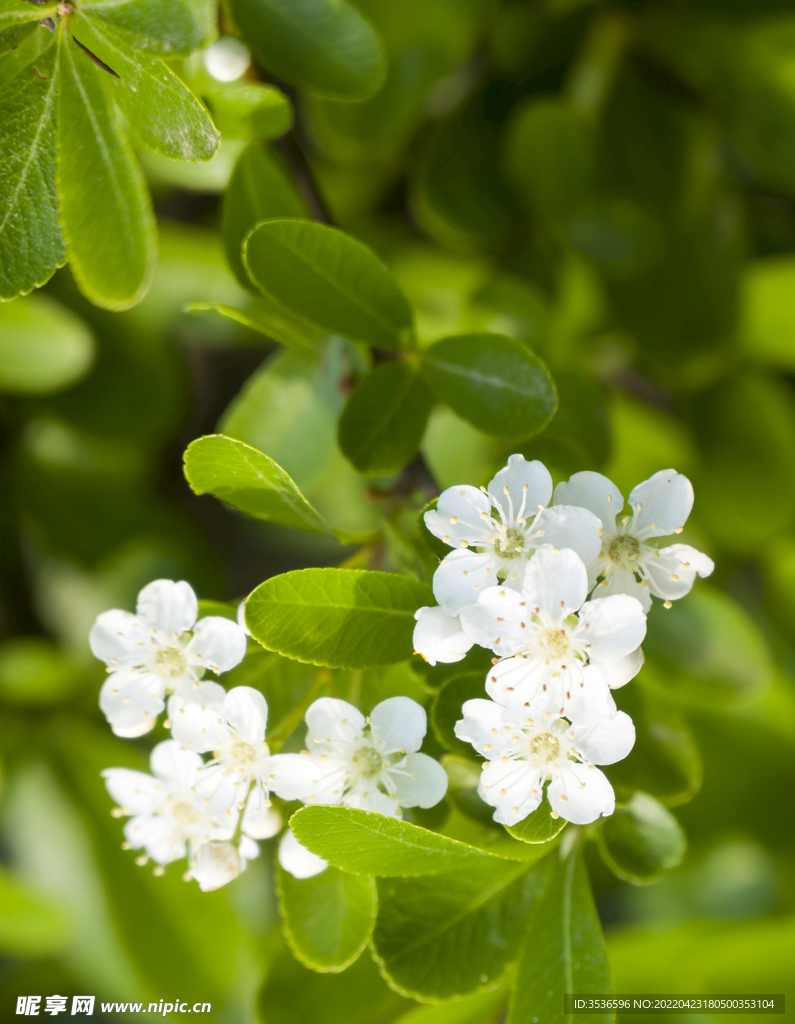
<point>493,547</point>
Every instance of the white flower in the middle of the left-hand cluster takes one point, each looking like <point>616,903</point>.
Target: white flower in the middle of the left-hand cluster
<point>233,727</point>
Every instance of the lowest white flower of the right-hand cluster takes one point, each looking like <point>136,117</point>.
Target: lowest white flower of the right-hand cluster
<point>524,753</point>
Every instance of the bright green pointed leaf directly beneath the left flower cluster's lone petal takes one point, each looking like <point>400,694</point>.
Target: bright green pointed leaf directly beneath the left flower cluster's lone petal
<point>372,844</point>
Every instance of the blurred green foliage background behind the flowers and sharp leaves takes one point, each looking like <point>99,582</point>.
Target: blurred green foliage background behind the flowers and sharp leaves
<point>612,184</point>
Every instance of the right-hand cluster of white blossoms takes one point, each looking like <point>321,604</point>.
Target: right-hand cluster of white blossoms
<point>560,593</point>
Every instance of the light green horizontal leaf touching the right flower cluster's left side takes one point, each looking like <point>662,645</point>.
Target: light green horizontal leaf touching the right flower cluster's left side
<point>345,619</point>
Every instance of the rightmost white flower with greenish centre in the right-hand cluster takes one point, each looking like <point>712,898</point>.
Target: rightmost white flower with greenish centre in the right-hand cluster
<point>629,562</point>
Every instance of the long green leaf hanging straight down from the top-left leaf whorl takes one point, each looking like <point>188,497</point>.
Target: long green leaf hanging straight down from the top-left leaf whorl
<point>106,211</point>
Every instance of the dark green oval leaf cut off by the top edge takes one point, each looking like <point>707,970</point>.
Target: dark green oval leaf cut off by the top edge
<point>324,48</point>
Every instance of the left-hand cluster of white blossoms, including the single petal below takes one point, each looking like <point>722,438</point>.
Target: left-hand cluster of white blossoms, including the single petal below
<point>208,797</point>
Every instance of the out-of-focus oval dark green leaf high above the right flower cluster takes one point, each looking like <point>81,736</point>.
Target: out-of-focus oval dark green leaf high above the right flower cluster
<point>551,157</point>
